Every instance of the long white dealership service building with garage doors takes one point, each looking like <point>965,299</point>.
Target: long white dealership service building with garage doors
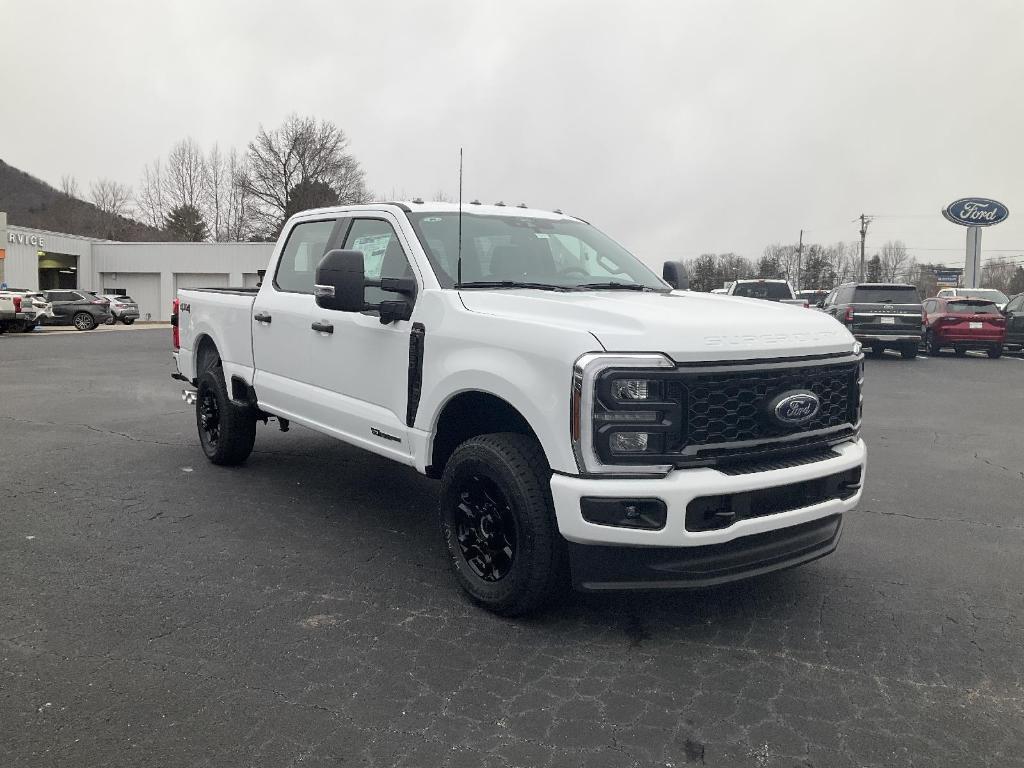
<point>150,273</point>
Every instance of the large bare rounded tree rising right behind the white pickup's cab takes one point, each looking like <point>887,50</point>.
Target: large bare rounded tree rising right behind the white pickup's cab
<point>302,153</point>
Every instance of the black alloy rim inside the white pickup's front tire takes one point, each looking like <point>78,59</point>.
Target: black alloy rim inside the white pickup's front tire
<point>486,529</point>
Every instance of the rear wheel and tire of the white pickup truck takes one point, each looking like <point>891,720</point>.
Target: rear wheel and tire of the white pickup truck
<point>227,431</point>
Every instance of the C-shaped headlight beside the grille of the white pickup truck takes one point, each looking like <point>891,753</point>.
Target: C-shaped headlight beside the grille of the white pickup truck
<point>621,413</point>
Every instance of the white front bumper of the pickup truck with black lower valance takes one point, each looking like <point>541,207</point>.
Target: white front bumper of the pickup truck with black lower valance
<point>590,542</point>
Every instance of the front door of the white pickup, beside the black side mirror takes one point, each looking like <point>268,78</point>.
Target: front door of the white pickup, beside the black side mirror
<point>362,369</point>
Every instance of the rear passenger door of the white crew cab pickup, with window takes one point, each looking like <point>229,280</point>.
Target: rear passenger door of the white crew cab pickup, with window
<point>282,336</point>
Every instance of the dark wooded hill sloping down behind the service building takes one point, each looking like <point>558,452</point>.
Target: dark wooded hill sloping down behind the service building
<point>31,202</point>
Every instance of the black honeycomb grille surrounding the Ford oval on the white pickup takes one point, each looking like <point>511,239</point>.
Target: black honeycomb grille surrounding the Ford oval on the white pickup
<point>732,407</point>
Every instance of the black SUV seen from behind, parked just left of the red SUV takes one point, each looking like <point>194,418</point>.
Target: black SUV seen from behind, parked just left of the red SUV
<point>881,316</point>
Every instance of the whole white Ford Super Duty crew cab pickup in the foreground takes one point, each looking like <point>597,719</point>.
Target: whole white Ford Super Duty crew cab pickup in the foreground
<point>589,424</point>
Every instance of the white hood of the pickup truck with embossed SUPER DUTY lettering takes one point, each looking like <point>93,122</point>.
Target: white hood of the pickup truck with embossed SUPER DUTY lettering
<point>687,326</point>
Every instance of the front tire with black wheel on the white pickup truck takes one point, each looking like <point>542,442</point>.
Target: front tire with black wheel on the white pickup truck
<point>498,522</point>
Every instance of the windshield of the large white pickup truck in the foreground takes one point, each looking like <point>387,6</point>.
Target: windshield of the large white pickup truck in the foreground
<point>511,250</point>
